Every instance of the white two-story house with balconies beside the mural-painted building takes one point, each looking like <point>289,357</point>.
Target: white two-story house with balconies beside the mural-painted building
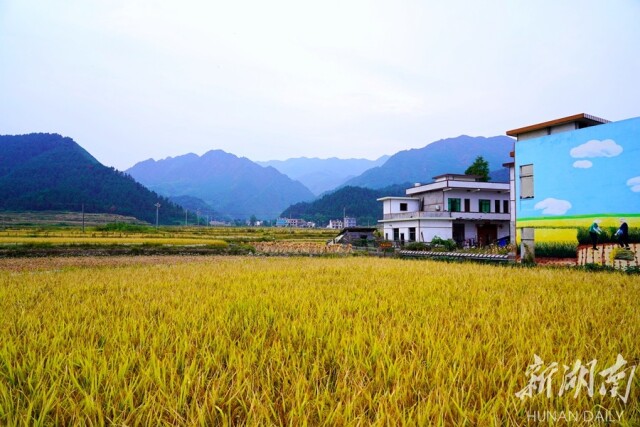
<point>457,207</point>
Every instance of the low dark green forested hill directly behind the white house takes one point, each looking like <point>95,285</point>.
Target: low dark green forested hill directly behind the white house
<point>357,202</point>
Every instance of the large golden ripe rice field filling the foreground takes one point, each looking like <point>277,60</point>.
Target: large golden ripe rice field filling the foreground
<point>303,341</point>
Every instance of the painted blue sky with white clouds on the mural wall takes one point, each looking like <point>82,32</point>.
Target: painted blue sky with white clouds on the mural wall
<point>595,170</point>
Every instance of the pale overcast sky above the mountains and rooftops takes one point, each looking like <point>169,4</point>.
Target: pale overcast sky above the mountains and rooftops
<point>131,80</point>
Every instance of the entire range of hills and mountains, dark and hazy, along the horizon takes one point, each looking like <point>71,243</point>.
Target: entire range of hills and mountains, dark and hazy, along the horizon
<point>48,171</point>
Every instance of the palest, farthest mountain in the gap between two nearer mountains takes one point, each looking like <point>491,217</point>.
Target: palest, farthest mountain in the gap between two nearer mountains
<point>322,175</point>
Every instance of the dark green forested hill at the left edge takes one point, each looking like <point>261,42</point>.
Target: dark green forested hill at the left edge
<point>44,171</point>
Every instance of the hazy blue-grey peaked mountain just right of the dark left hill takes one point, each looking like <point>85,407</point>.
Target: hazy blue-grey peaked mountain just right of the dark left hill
<point>233,186</point>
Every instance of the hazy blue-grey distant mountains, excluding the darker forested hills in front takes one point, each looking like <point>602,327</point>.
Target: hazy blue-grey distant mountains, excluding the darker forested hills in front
<point>236,187</point>
